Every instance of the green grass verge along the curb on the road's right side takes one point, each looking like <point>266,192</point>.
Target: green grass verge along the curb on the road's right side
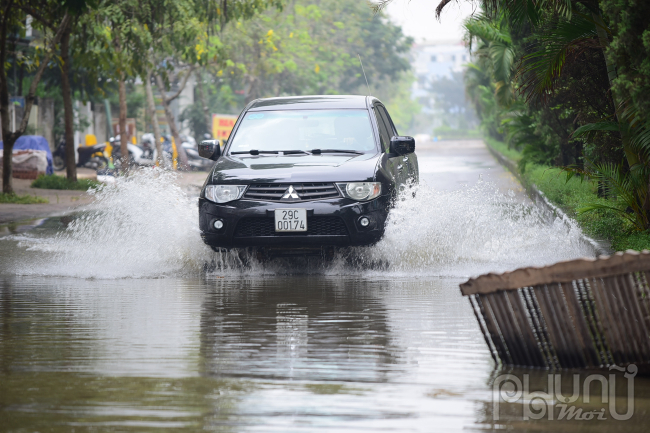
<point>575,194</point>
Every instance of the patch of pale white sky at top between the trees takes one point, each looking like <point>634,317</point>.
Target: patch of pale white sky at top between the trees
<point>417,18</point>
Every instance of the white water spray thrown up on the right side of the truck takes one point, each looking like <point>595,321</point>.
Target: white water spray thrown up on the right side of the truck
<point>470,231</point>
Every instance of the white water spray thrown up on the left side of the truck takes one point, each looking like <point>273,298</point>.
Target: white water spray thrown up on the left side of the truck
<point>143,225</point>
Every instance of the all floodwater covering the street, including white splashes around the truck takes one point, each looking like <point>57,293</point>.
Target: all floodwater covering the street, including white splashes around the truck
<point>109,322</point>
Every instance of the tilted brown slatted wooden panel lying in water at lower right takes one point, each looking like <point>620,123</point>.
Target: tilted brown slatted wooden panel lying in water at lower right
<point>582,313</point>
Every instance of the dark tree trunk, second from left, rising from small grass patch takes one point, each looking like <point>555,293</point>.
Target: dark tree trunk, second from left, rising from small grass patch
<point>68,116</point>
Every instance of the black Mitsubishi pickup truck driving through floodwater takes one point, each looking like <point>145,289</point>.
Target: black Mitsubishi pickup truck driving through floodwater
<point>305,172</point>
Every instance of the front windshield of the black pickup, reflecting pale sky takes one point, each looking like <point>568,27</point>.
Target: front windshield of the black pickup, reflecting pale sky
<point>304,130</point>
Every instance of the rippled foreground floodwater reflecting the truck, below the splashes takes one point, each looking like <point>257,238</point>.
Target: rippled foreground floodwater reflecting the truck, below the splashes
<point>281,354</point>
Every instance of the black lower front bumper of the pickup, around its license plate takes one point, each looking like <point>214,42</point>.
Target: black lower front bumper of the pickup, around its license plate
<point>333,222</point>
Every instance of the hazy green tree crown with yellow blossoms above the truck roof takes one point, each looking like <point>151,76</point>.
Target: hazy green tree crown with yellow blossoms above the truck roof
<point>311,48</point>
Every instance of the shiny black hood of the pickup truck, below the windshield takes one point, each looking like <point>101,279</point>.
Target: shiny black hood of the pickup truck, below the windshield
<point>249,169</point>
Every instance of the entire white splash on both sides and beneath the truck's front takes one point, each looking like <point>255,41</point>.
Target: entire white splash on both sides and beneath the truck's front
<point>144,225</point>
